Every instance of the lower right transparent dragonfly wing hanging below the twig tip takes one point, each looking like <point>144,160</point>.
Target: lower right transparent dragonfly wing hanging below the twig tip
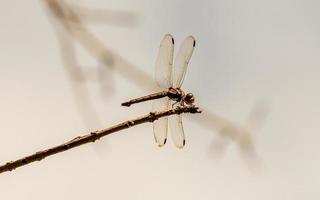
<point>177,132</point>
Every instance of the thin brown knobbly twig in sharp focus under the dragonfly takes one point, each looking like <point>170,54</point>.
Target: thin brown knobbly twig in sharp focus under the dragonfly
<point>93,136</point>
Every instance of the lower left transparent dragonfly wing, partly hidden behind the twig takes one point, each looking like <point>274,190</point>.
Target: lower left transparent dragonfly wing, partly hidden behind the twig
<point>160,126</point>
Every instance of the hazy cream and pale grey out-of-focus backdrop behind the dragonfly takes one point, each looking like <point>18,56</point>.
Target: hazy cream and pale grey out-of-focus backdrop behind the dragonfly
<point>247,52</point>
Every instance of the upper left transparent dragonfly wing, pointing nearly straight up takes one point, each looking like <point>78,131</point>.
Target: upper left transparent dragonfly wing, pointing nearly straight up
<point>163,71</point>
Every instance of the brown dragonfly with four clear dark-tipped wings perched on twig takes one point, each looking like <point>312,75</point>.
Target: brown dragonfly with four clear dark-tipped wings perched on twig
<point>169,79</point>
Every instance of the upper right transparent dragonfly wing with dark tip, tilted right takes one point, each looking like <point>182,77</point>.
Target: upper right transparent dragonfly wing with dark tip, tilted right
<point>182,61</point>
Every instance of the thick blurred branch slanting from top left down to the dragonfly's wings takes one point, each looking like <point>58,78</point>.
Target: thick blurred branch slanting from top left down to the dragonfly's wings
<point>78,31</point>
